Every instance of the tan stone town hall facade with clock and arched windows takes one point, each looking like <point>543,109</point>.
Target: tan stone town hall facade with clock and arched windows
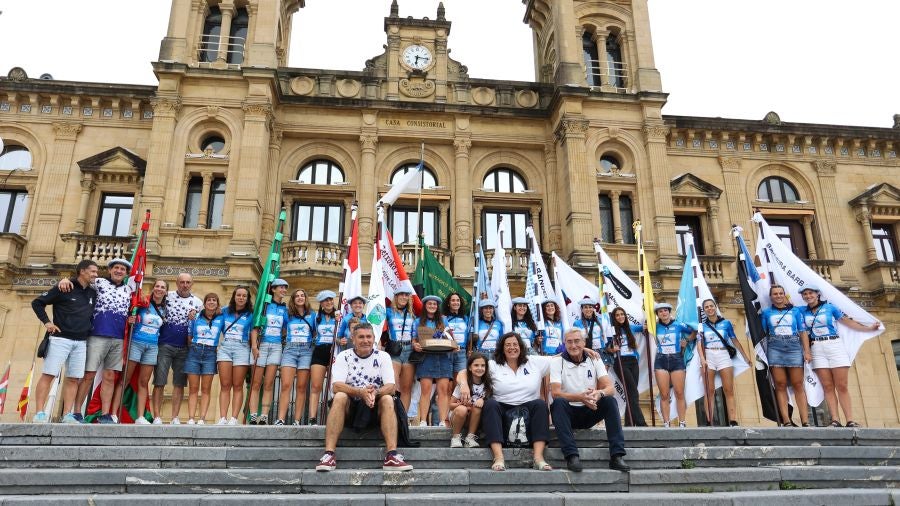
<point>231,134</point>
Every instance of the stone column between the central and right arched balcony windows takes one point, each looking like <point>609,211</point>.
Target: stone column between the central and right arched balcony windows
<point>463,258</point>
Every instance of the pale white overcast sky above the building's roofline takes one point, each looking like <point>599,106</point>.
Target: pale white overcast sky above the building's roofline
<point>811,61</point>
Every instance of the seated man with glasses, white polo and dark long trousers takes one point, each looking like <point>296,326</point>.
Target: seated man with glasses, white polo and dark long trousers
<point>583,395</point>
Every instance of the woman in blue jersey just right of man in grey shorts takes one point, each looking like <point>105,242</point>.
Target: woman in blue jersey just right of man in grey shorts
<point>200,366</point>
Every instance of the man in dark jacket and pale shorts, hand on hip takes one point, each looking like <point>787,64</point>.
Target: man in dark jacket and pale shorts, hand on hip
<point>69,329</point>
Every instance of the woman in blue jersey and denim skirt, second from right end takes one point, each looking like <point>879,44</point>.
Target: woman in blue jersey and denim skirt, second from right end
<point>787,347</point>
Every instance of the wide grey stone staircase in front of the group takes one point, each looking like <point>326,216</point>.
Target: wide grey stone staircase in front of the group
<point>142,465</point>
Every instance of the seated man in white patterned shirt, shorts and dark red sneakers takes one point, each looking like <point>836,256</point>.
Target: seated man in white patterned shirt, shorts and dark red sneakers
<point>362,380</point>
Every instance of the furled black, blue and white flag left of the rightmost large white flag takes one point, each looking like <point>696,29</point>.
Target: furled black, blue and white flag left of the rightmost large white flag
<point>748,278</point>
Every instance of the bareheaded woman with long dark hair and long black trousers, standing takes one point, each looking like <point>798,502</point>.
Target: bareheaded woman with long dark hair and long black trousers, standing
<point>623,347</point>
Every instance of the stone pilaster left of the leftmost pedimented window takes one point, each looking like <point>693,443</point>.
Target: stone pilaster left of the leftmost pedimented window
<point>44,241</point>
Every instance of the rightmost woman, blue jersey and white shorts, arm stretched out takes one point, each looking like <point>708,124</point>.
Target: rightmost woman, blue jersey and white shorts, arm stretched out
<point>830,358</point>
